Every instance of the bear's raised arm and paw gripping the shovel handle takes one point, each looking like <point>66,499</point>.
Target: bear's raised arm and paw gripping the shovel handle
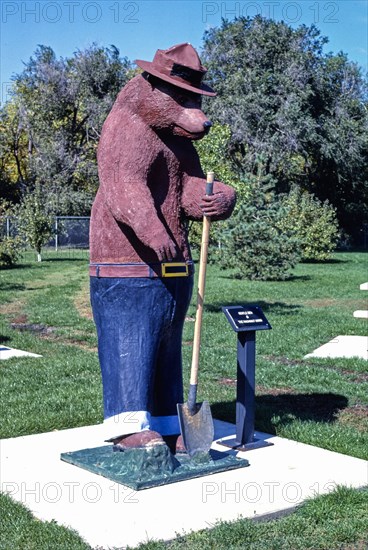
<point>194,202</point>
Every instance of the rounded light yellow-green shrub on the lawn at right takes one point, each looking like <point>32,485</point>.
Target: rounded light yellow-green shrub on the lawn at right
<point>315,224</point>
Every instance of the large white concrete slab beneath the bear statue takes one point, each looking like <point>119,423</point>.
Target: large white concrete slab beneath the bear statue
<point>110,515</point>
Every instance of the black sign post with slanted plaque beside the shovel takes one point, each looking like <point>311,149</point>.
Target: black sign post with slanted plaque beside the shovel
<point>245,321</point>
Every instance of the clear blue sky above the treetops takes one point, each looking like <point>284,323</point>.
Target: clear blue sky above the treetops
<point>139,28</point>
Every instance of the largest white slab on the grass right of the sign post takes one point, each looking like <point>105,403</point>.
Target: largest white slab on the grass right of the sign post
<point>343,346</point>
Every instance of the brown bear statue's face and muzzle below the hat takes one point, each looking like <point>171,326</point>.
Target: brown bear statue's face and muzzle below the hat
<point>171,109</point>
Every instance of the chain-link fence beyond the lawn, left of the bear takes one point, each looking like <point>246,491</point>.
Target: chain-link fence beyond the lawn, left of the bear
<point>69,231</point>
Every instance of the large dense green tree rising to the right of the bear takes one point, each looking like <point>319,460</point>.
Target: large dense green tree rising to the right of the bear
<point>305,112</point>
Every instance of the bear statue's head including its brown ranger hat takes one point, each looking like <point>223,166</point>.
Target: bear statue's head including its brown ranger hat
<point>169,92</point>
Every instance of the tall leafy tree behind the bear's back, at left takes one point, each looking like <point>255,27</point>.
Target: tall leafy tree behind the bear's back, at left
<point>56,114</point>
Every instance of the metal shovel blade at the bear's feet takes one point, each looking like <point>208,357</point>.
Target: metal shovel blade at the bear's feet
<point>196,427</point>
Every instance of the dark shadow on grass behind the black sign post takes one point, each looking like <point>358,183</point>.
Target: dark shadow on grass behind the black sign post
<point>281,410</point>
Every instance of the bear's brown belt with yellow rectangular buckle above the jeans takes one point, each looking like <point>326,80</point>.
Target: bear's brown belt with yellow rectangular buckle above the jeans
<point>168,269</point>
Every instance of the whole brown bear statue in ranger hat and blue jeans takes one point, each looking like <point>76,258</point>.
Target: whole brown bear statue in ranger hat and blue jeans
<point>141,270</point>
